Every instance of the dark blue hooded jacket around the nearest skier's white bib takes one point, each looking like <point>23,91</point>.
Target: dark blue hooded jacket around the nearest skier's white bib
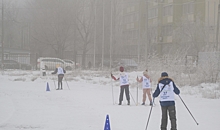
<point>166,80</point>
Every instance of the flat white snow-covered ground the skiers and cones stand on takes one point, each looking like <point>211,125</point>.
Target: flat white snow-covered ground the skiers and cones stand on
<point>26,105</point>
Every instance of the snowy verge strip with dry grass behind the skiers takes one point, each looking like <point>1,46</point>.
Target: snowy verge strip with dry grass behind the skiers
<point>204,90</point>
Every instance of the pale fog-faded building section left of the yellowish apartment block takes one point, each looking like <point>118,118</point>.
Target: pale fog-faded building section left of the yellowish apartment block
<point>133,26</point>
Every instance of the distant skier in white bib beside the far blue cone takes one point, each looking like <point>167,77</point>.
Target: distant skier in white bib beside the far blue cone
<point>60,71</point>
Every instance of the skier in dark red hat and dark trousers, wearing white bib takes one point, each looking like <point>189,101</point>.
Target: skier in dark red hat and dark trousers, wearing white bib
<point>124,85</point>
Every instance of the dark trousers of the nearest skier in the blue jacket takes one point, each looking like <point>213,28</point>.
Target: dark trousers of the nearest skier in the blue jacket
<point>172,114</point>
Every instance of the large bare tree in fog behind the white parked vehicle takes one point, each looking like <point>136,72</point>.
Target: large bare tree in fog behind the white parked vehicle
<point>53,24</point>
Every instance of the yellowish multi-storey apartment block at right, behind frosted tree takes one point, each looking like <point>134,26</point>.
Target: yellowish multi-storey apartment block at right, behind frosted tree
<point>165,17</point>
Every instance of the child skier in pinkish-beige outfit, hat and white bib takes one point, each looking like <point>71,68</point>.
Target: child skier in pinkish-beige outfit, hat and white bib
<point>146,85</point>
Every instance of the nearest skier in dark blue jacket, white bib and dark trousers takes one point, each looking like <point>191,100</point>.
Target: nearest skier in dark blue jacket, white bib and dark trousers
<point>166,88</point>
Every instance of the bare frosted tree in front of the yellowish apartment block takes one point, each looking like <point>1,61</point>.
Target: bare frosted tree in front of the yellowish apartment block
<point>193,35</point>
